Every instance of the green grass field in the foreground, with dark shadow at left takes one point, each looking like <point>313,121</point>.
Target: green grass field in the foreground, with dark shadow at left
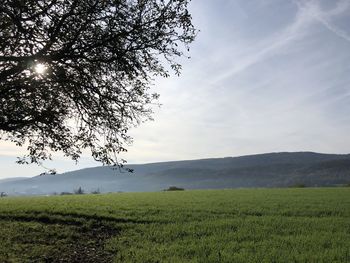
<point>245,225</point>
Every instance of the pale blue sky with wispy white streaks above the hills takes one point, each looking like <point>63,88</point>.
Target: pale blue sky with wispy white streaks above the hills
<point>264,76</point>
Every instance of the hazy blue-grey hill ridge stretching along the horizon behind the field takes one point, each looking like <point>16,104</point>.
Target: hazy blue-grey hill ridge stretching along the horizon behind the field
<point>263,170</point>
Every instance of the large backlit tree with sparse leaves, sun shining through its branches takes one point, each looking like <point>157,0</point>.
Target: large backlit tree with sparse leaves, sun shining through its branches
<point>76,74</point>
